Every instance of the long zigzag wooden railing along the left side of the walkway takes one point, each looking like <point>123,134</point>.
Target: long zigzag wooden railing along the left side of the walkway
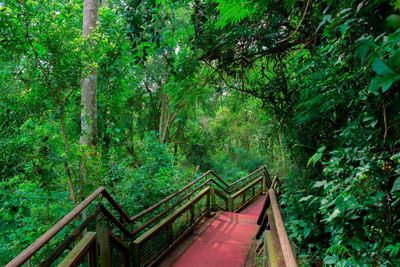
<point>108,236</point>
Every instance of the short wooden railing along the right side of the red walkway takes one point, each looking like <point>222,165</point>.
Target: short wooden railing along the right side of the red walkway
<point>275,248</point>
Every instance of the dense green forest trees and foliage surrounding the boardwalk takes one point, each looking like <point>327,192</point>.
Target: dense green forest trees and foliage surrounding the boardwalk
<point>148,94</point>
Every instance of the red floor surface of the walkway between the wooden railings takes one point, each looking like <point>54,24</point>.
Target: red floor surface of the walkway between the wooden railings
<point>225,242</point>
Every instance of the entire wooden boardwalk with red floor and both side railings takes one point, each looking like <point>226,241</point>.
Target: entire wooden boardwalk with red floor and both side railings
<point>176,230</point>
